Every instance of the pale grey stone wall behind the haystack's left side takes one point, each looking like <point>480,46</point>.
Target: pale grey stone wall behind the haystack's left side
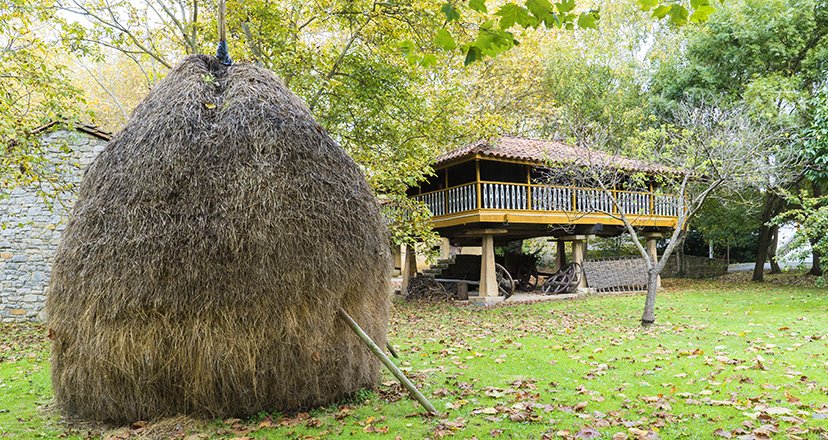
<point>30,229</point>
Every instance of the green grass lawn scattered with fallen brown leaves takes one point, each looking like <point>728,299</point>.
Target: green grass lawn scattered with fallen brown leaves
<point>723,360</point>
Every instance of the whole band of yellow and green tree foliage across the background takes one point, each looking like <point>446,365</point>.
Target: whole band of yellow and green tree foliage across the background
<point>397,83</point>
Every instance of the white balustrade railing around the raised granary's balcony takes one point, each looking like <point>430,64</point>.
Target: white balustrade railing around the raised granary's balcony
<point>545,198</point>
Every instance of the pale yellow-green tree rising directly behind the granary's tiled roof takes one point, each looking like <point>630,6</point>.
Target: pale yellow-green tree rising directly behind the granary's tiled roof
<point>599,78</point>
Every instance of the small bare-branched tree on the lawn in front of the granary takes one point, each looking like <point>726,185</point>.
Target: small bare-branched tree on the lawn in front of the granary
<point>710,150</point>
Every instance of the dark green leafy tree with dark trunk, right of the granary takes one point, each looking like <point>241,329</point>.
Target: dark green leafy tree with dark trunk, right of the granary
<point>769,54</point>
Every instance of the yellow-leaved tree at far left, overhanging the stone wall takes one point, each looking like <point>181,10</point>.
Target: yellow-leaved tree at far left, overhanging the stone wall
<point>34,91</point>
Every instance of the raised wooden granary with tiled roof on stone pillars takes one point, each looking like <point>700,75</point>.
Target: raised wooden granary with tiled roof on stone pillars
<point>493,192</point>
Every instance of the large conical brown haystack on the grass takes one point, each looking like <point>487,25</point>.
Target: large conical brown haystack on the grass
<point>210,247</point>
